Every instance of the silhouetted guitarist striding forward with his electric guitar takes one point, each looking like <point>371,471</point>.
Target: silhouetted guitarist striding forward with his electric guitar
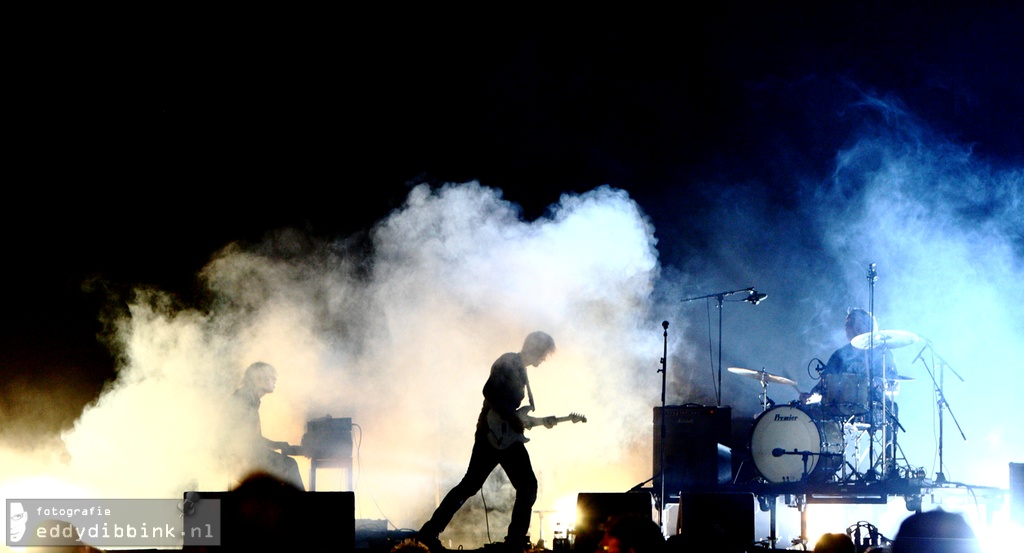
<point>499,441</point>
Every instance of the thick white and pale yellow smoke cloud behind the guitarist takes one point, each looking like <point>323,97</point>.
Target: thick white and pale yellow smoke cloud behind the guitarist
<point>402,343</point>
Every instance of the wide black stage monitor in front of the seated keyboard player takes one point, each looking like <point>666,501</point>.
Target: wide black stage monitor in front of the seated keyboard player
<point>262,518</point>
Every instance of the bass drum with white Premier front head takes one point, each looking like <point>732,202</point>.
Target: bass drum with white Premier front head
<point>785,430</point>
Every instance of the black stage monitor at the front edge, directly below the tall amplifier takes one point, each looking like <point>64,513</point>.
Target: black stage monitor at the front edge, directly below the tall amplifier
<point>721,523</point>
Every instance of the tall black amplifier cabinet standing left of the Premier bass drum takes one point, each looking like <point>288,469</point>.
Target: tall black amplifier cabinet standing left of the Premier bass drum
<point>695,454</point>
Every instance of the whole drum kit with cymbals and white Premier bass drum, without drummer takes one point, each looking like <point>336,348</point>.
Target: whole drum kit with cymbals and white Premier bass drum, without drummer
<point>820,440</point>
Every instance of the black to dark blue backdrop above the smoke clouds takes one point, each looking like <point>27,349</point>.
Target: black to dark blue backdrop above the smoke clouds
<point>140,145</point>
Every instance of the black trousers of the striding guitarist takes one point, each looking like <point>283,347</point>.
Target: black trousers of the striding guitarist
<point>516,462</point>
